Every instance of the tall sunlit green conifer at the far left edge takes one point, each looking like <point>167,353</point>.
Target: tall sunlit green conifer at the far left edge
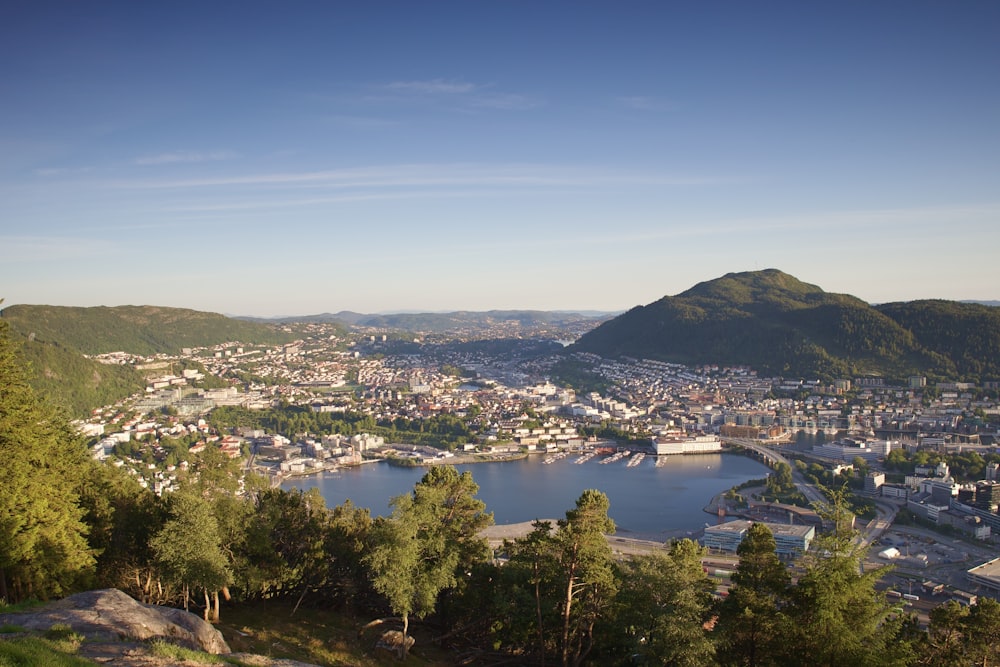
<point>43,544</point>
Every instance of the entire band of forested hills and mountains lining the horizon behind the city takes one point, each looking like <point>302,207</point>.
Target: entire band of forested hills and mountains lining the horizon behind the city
<point>767,320</point>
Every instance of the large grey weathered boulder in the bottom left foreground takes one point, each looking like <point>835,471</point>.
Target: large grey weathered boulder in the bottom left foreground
<point>111,615</point>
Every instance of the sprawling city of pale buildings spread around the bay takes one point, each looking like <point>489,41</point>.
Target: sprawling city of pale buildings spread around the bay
<point>864,431</point>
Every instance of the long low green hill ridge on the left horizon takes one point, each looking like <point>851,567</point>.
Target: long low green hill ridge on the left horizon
<point>135,329</point>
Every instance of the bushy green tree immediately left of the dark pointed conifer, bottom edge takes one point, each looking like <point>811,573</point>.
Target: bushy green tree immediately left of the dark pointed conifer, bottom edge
<point>663,605</point>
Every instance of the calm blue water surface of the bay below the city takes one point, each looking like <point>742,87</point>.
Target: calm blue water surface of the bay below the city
<point>647,500</point>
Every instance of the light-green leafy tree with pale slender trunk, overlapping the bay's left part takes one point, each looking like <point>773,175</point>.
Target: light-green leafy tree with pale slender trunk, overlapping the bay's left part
<point>431,537</point>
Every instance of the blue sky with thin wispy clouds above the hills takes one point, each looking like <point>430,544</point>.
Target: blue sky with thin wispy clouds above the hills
<point>293,158</point>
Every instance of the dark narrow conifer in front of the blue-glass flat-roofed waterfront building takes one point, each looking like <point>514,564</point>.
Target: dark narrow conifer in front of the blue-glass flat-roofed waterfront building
<point>751,619</point>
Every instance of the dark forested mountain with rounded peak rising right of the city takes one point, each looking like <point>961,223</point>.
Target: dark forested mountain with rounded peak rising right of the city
<point>778,325</point>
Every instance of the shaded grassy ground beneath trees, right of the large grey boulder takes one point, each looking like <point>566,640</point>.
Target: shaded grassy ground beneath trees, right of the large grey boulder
<point>317,636</point>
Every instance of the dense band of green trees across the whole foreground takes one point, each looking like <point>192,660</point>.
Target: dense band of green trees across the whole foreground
<point>556,596</point>
